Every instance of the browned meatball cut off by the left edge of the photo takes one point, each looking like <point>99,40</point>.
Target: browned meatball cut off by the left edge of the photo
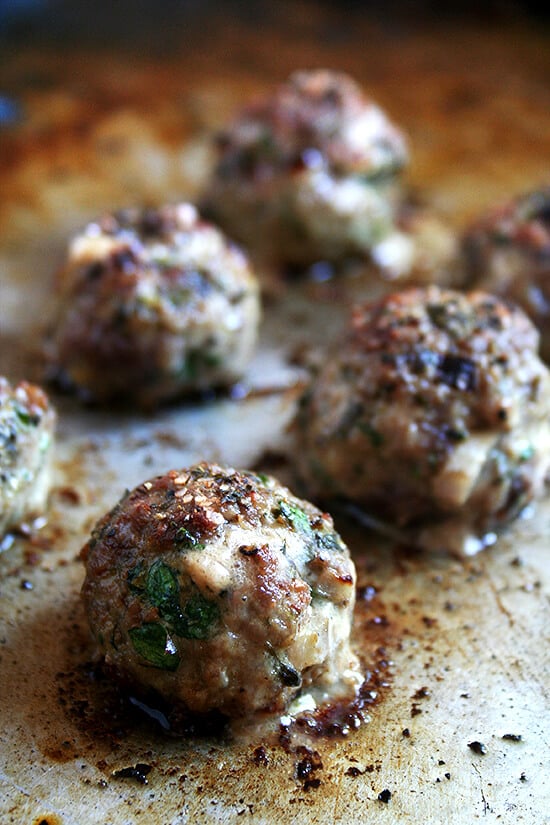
<point>26,437</point>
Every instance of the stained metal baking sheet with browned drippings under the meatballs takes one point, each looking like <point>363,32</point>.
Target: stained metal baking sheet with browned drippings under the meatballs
<point>466,640</point>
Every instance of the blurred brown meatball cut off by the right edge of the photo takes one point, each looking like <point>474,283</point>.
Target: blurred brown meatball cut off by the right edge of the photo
<point>508,252</point>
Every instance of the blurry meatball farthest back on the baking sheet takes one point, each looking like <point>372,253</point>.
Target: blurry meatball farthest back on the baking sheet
<point>308,173</point>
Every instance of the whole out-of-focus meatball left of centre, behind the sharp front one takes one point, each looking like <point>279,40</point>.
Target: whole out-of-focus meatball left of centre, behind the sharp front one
<point>155,303</point>
